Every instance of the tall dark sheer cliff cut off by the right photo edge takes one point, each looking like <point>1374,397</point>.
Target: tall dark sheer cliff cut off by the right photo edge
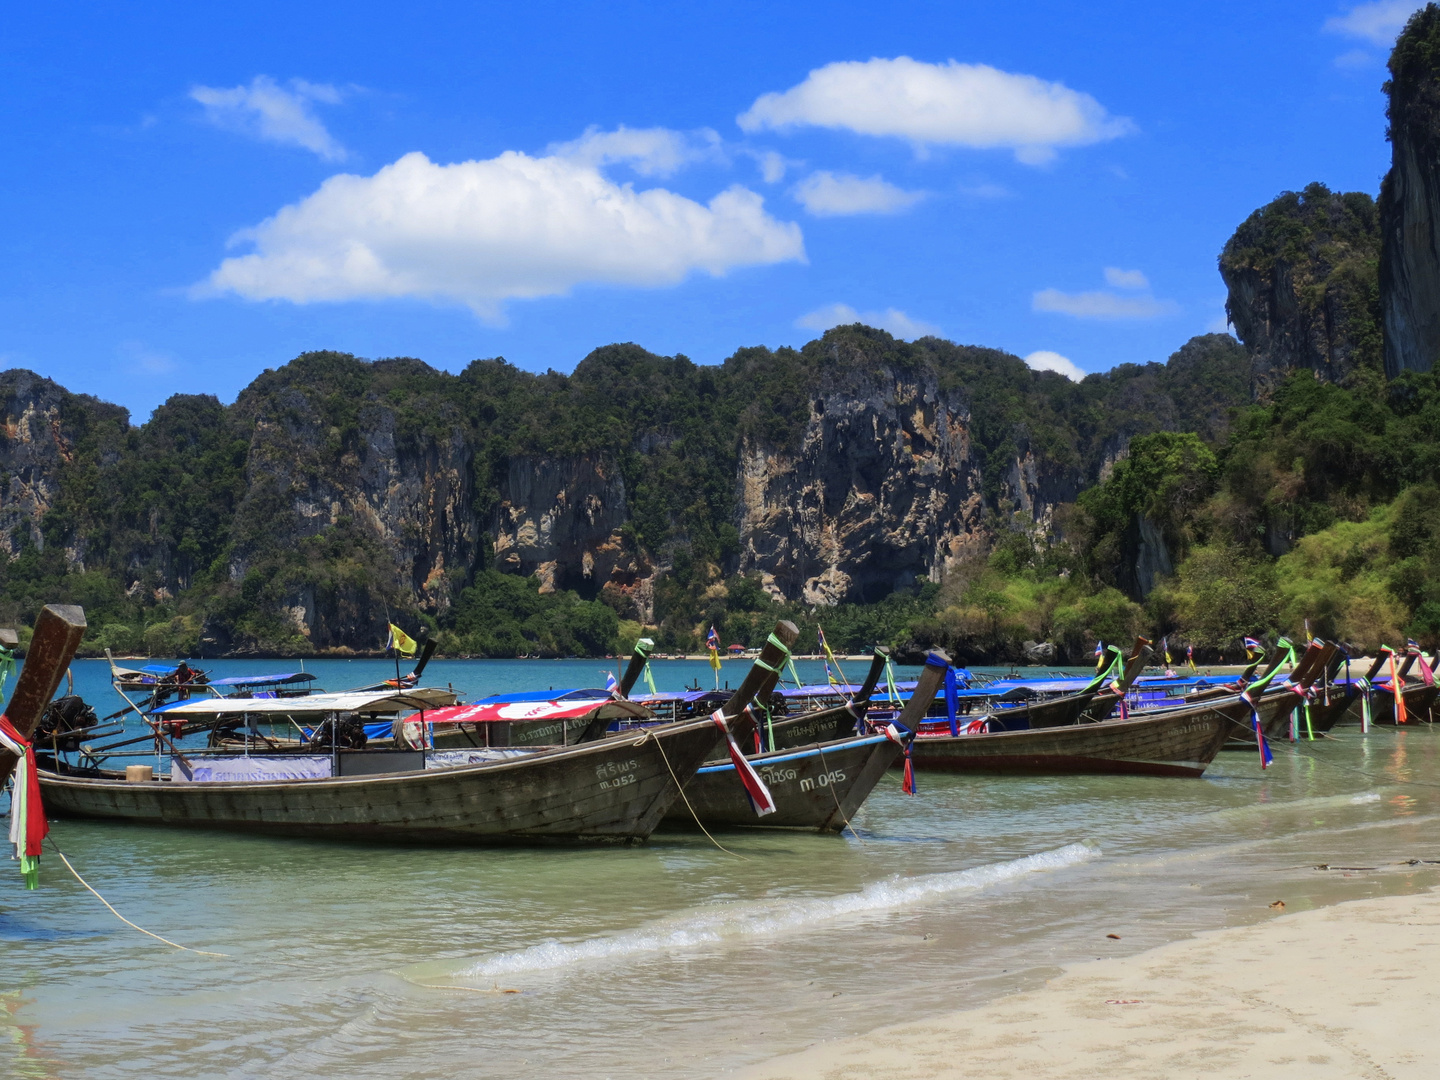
<point>1409,201</point>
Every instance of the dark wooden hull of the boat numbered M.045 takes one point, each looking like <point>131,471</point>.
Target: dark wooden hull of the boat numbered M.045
<point>816,787</point>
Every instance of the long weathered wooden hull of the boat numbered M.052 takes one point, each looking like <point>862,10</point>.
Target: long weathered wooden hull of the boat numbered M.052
<point>611,790</point>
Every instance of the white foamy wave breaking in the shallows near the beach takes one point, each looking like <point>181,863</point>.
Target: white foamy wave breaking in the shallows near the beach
<point>764,918</point>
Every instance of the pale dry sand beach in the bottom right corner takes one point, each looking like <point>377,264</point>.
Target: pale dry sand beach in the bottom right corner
<point>1344,991</point>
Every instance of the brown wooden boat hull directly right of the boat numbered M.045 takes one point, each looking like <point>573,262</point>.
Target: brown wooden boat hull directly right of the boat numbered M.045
<point>1179,742</point>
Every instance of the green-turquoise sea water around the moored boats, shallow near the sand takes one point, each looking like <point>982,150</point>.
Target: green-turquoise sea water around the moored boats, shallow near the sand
<point>673,958</point>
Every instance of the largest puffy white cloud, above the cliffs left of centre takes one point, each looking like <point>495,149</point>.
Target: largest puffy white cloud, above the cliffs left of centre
<point>485,233</point>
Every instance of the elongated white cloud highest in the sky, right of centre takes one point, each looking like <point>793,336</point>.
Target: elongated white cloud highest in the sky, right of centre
<point>948,104</point>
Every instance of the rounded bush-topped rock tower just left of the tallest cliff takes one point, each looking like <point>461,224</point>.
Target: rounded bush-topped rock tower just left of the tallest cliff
<point>1304,289</point>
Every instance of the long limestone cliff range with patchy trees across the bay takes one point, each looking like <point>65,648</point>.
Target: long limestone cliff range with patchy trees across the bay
<point>336,495</point>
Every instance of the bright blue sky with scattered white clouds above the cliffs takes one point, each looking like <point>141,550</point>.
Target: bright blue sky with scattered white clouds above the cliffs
<point>192,197</point>
